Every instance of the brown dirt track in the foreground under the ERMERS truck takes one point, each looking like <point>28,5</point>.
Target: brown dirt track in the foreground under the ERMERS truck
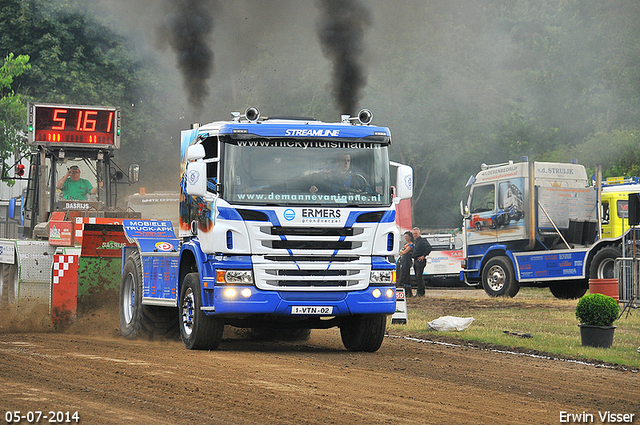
<point>110,380</point>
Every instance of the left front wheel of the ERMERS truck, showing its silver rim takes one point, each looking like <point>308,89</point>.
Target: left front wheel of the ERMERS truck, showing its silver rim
<point>197,330</point>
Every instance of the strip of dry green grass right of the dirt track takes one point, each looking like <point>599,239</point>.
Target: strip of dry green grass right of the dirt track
<point>552,323</point>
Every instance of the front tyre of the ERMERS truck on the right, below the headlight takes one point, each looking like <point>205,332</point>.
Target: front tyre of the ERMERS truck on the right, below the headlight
<point>363,333</point>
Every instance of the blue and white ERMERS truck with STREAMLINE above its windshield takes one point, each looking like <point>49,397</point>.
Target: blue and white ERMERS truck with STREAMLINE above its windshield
<point>285,224</point>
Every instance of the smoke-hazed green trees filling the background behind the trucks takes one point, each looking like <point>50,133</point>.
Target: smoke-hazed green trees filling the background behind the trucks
<point>459,82</point>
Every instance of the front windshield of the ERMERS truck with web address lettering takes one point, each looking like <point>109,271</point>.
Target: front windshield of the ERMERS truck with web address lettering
<point>294,175</point>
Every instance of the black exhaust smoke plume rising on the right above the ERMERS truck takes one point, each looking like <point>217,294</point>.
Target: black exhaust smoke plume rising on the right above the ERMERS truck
<point>341,31</point>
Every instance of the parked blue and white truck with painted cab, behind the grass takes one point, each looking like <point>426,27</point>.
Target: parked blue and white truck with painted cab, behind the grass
<point>535,223</point>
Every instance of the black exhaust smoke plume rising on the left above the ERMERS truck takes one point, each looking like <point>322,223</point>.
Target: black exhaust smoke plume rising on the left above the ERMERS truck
<point>187,28</point>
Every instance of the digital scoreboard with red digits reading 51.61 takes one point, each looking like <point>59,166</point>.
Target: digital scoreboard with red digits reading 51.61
<point>73,126</point>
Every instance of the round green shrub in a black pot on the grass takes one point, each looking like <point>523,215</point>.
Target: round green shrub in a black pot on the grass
<point>596,313</point>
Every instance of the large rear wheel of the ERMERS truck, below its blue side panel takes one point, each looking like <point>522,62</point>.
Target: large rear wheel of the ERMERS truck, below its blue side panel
<point>137,320</point>
